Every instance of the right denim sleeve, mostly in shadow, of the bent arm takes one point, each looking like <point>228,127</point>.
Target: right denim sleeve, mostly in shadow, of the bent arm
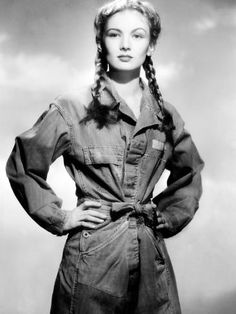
<point>180,200</point>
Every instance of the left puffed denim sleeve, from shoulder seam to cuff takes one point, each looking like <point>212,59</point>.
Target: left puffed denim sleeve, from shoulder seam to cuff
<point>28,166</point>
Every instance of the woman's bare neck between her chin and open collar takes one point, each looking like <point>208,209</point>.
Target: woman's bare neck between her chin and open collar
<point>125,82</point>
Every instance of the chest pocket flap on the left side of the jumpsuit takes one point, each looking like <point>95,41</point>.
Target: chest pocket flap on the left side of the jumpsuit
<point>95,155</point>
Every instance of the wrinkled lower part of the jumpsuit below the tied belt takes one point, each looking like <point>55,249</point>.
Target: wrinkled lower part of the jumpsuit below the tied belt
<point>120,268</point>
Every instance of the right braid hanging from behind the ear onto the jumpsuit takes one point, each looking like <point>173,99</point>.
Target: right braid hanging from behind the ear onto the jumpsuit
<point>167,123</point>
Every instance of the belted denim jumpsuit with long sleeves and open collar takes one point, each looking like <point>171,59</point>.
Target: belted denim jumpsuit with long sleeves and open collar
<point>122,266</point>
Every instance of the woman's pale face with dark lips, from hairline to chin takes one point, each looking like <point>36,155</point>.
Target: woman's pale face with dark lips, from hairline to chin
<point>127,40</point>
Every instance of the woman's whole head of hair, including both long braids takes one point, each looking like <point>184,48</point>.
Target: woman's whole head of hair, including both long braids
<point>104,115</point>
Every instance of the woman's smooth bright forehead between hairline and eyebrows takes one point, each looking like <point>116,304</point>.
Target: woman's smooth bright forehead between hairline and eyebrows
<point>127,20</point>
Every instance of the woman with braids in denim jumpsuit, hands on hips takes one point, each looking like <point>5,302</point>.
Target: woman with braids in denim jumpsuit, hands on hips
<point>116,139</point>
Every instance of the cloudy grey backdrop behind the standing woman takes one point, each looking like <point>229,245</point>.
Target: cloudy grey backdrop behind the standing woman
<point>47,48</point>
